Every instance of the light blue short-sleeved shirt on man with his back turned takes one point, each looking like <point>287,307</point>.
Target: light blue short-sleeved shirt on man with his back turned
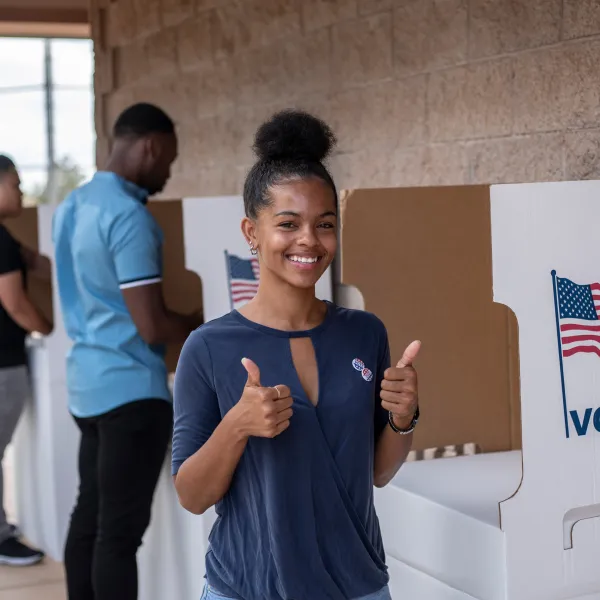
<point>106,240</point>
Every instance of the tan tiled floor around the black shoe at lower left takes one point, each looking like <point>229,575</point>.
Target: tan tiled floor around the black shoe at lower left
<point>40,582</point>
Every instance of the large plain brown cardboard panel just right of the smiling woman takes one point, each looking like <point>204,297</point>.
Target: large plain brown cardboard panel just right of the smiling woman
<point>422,260</point>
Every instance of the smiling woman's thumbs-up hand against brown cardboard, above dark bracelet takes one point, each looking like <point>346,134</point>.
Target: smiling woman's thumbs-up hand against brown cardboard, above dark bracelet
<point>399,388</point>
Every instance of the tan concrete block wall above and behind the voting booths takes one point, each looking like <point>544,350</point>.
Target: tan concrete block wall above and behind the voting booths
<point>420,92</point>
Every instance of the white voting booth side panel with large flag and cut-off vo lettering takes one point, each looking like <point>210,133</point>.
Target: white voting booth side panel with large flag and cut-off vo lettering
<point>546,265</point>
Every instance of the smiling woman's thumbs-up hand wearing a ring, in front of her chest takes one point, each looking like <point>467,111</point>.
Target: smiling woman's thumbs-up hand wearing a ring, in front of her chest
<point>263,411</point>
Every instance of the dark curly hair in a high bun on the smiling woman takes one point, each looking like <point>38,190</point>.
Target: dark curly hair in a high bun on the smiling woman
<point>291,145</point>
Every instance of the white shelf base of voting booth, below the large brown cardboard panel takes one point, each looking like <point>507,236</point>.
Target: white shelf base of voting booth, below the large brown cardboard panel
<point>441,518</point>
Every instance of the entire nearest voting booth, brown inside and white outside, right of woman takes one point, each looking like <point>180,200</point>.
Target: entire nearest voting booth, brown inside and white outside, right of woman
<point>519,521</point>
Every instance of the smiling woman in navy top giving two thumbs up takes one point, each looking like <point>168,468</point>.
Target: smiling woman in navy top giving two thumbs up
<point>287,412</point>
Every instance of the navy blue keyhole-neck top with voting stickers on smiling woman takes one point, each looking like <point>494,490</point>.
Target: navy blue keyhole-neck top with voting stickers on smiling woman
<point>298,521</point>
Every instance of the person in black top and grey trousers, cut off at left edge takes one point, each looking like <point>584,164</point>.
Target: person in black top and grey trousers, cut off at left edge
<point>18,317</point>
